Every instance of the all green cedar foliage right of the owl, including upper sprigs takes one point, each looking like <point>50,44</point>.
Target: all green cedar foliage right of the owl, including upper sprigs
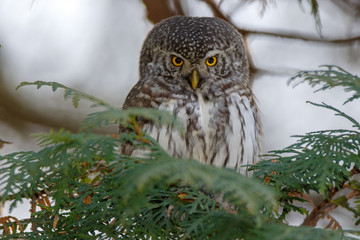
<point>321,161</point>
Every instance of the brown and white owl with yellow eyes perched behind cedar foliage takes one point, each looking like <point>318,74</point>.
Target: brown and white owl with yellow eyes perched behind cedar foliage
<point>197,69</point>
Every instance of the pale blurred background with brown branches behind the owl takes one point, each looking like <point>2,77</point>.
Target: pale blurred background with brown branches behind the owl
<point>94,46</point>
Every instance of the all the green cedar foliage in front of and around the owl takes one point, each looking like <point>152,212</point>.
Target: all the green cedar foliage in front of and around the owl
<point>81,187</point>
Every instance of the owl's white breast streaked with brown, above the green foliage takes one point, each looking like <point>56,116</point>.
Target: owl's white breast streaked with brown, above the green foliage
<point>223,131</point>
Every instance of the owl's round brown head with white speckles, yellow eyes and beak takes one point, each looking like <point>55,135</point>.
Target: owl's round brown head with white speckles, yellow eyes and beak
<point>195,52</point>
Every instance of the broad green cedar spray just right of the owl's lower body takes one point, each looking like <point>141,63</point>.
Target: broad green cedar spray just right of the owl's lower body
<point>317,161</point>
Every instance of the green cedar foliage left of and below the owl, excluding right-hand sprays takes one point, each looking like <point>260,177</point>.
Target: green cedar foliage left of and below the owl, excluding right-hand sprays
<point>81,186</point>
